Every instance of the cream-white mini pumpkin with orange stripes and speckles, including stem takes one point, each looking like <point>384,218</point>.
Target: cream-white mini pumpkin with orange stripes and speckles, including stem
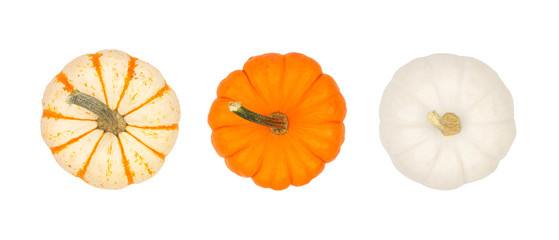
<point>110,119</point>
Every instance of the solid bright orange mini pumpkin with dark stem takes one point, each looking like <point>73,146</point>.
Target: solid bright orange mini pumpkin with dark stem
<point>278,121</point>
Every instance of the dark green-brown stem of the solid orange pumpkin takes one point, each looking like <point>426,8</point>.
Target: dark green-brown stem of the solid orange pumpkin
<point>277,122</point>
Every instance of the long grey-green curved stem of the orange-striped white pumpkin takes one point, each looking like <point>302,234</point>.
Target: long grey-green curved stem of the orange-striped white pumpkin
<point>108,121</point>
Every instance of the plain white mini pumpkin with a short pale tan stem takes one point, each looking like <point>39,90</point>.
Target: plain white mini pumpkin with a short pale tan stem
<point>446,120</point>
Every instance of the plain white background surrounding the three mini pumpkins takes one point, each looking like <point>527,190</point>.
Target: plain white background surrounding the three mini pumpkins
<point>358,196</point>
